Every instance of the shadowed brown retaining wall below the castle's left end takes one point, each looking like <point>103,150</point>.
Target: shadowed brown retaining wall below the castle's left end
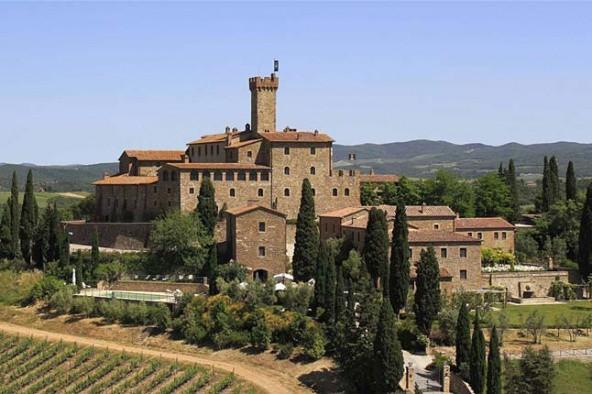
<point>127,236</point>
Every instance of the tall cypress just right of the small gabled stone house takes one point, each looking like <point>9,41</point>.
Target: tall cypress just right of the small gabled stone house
<point>306,247</point>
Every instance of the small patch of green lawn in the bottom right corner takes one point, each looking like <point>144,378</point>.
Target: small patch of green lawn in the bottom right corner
<point>573,377</point>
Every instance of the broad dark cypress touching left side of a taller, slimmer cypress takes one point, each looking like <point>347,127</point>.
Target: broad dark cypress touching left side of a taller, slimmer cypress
<point>375,251</point>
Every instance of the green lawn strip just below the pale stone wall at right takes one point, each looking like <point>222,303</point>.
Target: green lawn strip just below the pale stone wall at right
<point>571,310</point>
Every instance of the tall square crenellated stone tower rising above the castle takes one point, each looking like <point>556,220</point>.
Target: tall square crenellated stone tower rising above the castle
<point>263,92</point>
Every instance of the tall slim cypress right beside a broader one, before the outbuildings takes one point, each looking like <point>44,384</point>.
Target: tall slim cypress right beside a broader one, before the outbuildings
<point>399,269</point>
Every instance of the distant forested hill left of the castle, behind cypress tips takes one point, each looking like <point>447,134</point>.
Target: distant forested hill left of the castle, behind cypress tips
<point>56,178</point>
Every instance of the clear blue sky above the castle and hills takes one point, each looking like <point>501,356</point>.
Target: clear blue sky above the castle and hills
<point>81,82</point>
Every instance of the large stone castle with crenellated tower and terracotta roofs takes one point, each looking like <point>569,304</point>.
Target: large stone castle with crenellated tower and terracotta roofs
<point>256,166</point>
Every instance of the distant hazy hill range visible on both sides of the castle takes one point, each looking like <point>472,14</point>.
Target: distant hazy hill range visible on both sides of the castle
<point>419,158</point>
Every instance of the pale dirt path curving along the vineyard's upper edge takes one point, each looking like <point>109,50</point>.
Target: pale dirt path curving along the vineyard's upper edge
<point>267,380</point>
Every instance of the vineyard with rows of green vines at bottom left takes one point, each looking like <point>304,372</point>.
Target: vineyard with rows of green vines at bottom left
<point>34,366</point>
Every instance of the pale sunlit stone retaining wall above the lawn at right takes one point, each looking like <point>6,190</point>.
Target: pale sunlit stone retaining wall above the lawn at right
<point>538,282</point>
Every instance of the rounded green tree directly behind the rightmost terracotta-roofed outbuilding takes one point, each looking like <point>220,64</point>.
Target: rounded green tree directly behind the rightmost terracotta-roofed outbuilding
<point>492,196</point>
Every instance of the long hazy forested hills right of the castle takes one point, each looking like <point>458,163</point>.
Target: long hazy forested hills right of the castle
<point>421,158</point>
